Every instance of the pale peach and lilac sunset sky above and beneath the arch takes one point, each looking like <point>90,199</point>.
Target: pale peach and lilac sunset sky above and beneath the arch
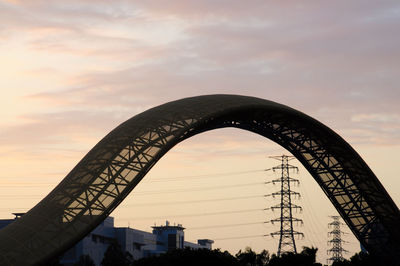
<point>71,71</point>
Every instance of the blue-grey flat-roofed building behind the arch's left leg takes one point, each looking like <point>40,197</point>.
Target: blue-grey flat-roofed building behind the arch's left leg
<point>139,244</point>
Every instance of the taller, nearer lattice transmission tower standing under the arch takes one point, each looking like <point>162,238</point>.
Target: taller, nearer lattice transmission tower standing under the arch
<point>286,220</point>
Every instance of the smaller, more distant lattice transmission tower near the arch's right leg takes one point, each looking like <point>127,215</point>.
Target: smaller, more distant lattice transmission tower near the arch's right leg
<point>337,250</point>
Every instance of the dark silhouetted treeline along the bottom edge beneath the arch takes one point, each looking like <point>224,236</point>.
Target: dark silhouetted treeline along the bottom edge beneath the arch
<point>114,256</point>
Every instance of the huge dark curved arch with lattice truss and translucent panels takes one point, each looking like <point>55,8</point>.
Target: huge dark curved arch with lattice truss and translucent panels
<point>111,170</point>
